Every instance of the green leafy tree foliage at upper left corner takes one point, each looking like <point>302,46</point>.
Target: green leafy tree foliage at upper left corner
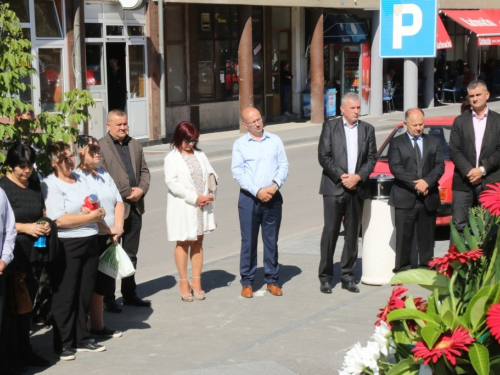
<point>47,127</point>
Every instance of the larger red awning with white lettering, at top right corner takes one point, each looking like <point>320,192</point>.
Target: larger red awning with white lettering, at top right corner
<point>483,22</point>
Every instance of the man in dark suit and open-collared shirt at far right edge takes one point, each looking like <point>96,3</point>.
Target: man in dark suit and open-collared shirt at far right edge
<point>475,151</point>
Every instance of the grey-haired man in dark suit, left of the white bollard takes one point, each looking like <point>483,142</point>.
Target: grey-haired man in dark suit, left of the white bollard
<point>347,153</point>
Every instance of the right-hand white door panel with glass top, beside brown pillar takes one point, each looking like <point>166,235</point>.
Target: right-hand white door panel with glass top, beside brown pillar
<point>137,101</point>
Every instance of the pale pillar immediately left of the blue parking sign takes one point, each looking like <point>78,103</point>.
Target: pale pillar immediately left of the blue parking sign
<point>376,74</point>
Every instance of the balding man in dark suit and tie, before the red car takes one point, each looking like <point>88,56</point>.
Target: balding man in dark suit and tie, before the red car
<point>417,163</point>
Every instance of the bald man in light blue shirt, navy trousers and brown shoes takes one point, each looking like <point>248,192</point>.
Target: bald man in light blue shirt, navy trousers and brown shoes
<point>260,167</point>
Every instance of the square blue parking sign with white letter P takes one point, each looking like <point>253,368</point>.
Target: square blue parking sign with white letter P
<point>408,28</point>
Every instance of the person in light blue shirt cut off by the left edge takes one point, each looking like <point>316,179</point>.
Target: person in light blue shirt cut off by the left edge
<point>8,235</point>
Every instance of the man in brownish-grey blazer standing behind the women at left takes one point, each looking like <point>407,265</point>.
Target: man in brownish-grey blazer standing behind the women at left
<point>123,158</point>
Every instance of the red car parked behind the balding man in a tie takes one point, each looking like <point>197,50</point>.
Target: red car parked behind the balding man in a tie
<point>439,127</point>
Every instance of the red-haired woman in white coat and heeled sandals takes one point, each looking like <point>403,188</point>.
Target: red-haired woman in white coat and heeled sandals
<point>190,212</point>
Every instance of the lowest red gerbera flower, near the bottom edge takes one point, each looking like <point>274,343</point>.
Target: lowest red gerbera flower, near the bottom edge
<point>448,344</point>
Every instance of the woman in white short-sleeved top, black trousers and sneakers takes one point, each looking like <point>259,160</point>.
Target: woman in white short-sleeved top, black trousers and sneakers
<point>75,267</point>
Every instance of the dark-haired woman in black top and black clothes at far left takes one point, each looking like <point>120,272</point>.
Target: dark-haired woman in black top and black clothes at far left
<point>25,197</point>
